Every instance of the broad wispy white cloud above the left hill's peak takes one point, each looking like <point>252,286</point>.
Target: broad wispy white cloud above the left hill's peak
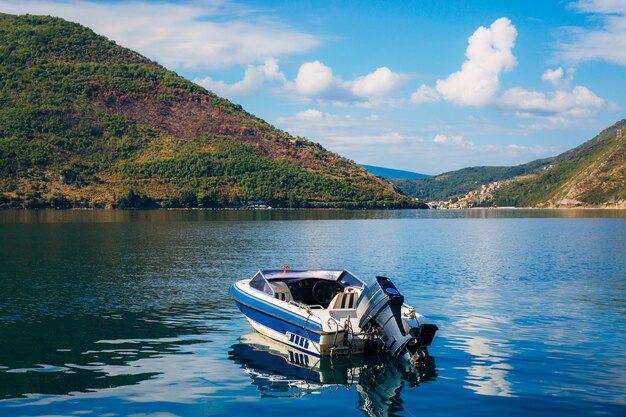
<point>208,34</point>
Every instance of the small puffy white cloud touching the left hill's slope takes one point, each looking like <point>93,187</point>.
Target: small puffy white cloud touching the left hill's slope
<point>255,78</point>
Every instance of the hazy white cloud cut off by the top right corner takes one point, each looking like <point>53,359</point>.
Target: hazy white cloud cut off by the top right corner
<point>605,41</point>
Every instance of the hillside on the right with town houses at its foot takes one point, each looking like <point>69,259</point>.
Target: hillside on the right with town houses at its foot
<point>592,174</point>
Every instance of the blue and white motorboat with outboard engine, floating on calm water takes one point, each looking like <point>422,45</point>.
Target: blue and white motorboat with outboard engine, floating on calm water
<point>333,312</point>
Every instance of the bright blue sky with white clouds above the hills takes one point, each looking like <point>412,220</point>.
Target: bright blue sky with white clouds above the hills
<point>427,86</point>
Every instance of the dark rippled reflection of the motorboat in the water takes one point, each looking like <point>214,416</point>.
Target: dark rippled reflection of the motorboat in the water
<point>278,370</point>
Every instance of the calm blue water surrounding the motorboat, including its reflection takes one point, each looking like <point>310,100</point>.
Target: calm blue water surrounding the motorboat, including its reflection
<point>118,313</point>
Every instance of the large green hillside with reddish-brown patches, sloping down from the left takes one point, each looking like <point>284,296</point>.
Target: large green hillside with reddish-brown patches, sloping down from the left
<point>85,122</point>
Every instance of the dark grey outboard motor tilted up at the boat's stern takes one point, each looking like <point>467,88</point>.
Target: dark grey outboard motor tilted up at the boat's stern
<point>380,310</point>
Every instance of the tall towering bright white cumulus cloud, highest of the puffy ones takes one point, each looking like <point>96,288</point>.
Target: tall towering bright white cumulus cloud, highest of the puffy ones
<point>489,52</point>
